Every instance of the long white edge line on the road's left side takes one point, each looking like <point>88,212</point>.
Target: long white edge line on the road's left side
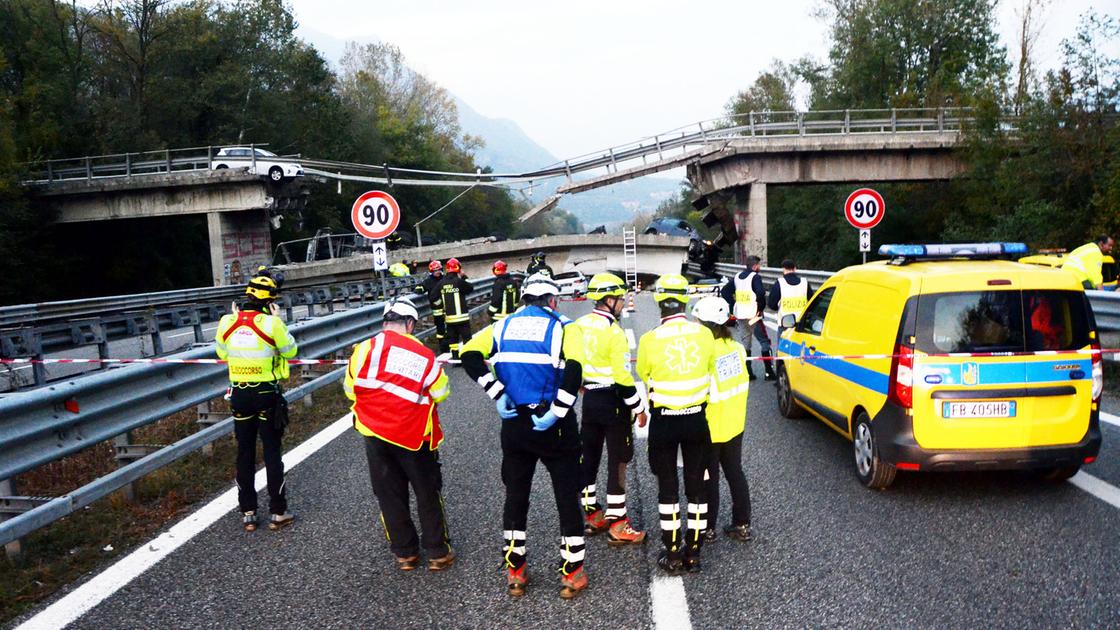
<point>83,599</point>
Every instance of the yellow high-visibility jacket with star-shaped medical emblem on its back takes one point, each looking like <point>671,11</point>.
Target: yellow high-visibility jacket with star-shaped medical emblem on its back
<point>675,360</point>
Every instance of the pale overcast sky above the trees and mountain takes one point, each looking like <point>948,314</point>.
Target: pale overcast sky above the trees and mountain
<point>583,76</point>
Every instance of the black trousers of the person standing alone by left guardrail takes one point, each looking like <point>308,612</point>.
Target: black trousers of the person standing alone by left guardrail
<point>253,407</point>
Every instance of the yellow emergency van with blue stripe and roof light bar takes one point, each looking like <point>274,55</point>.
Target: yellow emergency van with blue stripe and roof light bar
<point>912,360</point>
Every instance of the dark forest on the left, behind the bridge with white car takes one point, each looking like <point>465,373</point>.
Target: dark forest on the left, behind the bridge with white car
<point>137,76</point>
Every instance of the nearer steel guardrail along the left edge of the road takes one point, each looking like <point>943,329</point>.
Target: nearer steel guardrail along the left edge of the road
<point>45,425</point>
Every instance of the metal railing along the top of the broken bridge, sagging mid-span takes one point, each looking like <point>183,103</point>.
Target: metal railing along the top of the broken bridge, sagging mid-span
<point>753,125</point>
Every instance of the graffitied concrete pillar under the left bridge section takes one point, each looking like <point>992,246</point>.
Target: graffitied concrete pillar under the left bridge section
<point>240,242</point>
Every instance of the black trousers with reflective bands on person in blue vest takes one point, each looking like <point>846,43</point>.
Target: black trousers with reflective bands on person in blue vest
<point>558,449</point>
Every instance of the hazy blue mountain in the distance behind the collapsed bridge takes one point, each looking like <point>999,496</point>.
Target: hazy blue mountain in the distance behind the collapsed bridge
<point>509,150</point>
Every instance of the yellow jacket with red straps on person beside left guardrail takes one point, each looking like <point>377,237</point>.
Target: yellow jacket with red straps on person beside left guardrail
<point>257,347</point>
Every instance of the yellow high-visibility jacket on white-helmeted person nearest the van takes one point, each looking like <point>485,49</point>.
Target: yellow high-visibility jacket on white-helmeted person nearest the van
<point>729,391</point>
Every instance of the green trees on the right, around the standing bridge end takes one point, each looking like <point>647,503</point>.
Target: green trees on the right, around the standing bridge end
<point>1053,183</point>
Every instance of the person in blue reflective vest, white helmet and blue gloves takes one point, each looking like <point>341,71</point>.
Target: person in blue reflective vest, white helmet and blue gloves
<point>537,357</point>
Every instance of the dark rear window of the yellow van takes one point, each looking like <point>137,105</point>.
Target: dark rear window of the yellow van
<point>1006,321</point>
